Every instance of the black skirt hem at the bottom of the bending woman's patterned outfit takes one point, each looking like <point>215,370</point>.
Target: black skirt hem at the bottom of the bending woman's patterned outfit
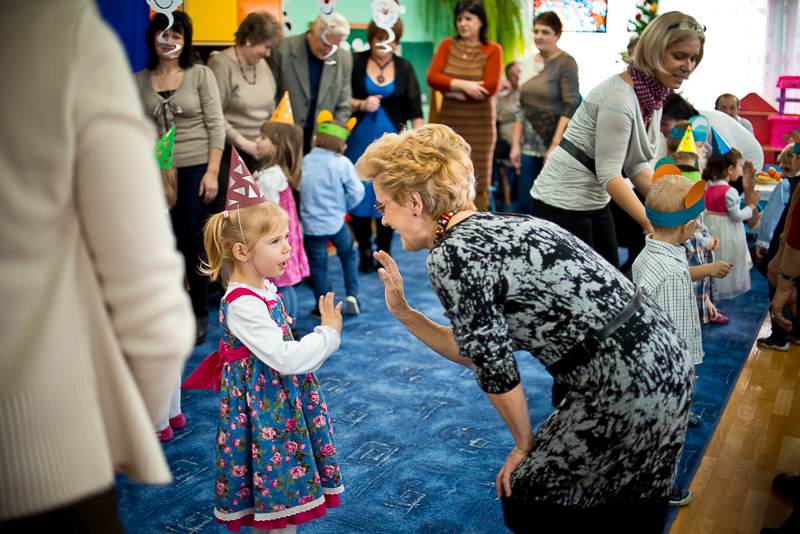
<point>642,516</point>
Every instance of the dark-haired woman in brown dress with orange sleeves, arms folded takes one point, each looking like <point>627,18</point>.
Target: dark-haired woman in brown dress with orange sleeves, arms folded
<point>466,69</point>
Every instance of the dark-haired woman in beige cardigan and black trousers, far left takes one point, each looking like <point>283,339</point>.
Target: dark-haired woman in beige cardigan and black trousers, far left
<point>176,91</point>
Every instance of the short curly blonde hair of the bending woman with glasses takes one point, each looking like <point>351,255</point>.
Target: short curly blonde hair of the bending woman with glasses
<point>433,161</point>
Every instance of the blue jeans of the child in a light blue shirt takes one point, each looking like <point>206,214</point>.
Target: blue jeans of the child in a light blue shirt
<point>317,252</point>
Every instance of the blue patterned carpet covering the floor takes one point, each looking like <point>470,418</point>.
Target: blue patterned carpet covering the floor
<point>419,443</point>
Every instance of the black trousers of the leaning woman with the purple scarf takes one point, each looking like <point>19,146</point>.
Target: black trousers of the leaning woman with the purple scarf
<point>593,227</point>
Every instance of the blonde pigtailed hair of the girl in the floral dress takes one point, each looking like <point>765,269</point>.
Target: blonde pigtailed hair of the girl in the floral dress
<point>246,225</point>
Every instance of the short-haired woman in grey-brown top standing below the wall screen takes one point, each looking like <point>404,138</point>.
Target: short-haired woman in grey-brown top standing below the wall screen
<point>548,87</point>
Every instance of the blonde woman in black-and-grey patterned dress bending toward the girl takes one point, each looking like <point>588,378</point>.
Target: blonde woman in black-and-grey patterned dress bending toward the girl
<point>510,282</point>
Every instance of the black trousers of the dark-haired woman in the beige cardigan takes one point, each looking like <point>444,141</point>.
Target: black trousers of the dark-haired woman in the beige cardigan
<point>189,216</point>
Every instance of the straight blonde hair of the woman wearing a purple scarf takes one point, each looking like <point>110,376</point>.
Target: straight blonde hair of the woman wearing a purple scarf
<point>666,31</point>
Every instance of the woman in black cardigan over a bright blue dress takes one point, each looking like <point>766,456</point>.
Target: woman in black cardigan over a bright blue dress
<point>386,96</point>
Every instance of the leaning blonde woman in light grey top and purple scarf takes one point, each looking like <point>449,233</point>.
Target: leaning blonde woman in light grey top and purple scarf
<point>615,132</point>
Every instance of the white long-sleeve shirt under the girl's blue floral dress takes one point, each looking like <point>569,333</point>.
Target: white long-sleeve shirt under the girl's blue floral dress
<point>249,320</point>
